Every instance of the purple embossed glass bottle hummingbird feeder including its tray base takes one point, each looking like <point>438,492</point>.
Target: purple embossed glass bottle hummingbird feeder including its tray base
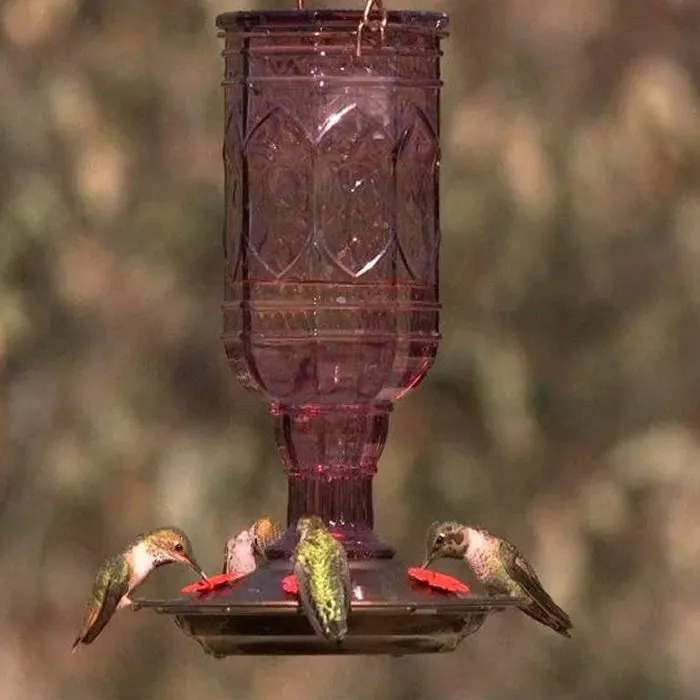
<point>331,309</point>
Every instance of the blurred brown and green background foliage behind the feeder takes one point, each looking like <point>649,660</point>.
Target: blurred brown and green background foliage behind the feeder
<point>563,411</point>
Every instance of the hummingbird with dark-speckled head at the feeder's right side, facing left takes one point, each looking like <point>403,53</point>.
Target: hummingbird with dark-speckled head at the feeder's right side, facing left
<point>499,567</point>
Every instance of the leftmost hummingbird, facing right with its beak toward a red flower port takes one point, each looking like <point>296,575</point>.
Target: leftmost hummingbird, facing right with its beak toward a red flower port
<point>124,572</point>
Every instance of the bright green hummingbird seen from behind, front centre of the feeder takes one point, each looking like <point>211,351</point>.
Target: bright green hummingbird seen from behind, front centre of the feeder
<point>323,576</point>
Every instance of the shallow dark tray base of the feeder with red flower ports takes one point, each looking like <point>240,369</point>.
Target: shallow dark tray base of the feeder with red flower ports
<point>390,615</point>
